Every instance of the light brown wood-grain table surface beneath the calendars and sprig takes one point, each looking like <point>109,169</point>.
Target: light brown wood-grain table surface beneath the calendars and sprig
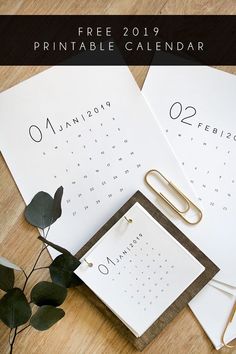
<point>84,330</point>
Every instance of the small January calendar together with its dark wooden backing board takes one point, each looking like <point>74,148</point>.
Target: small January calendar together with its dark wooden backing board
<point>143,268</point>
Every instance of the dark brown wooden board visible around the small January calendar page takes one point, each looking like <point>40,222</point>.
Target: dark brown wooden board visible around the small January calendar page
<point>172,311</point>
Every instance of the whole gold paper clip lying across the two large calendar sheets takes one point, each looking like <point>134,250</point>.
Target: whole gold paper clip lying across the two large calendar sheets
<point>187,201</point>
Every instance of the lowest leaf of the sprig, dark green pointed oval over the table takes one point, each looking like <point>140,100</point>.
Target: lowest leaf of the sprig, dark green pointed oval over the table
<point>45,317</point>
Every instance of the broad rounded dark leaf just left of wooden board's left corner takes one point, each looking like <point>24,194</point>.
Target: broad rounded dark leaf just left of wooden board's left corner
<point>62,268</point>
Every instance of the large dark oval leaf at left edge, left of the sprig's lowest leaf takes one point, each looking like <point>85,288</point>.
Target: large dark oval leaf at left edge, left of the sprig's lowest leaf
<point>14,308</point>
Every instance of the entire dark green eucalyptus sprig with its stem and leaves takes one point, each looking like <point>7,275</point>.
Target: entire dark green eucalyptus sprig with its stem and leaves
<point>41,310</point>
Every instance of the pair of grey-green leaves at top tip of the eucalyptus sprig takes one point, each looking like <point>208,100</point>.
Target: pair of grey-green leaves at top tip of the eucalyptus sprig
<point>43,210</point>
